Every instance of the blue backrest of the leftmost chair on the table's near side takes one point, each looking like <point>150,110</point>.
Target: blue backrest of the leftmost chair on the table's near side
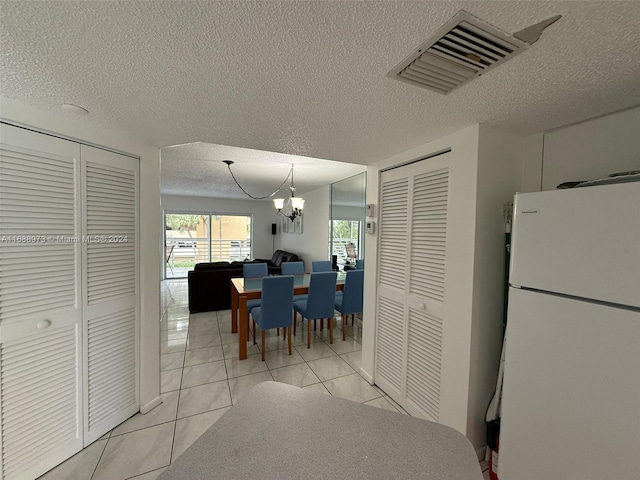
<point>276,305</point>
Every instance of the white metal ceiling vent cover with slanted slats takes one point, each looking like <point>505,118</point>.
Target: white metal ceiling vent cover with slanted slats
<point>463,49</point>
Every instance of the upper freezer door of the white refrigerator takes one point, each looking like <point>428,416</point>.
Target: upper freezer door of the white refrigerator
<point>582,241</point>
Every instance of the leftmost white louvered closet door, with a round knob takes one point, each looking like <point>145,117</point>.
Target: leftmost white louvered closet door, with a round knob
<point>40,307</point>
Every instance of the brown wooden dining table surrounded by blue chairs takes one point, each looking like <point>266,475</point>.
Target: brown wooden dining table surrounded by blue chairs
<point>244,289</point>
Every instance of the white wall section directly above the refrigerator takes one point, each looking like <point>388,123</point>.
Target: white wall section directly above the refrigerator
<point>592,149</point>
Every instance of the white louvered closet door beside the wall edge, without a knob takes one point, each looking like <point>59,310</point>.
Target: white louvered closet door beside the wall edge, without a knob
<point>110,193</point>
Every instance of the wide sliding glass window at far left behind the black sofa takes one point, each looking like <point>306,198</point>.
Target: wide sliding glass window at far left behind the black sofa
<point>194,238</point>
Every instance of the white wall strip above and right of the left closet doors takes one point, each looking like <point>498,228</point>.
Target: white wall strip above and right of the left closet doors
<point>150,222</point>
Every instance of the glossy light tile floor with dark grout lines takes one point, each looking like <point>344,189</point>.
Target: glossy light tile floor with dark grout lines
<point>201,377</point>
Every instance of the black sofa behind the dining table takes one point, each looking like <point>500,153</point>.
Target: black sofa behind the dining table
<point>210,283</point>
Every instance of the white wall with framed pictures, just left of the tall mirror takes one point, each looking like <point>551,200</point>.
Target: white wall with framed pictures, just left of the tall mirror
<point>313,243</point>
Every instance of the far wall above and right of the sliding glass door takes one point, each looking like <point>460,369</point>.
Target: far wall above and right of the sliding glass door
<point>262,212</point>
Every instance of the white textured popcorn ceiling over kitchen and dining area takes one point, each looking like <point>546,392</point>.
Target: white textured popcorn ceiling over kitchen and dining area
<point>303,78</point>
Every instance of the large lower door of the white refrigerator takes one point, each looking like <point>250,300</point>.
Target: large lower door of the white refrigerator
<point>571,392</point>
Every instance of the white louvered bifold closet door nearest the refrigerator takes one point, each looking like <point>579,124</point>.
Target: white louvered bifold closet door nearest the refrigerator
<point>411,279</point>
